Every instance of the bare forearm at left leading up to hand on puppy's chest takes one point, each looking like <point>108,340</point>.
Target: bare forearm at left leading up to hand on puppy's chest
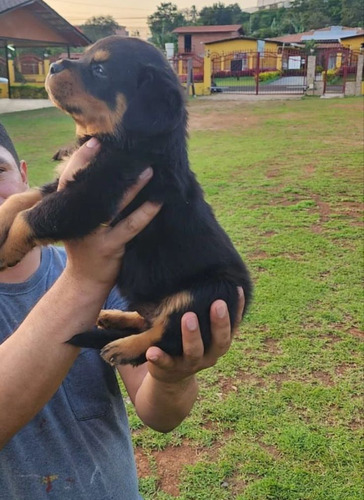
<point>35,359</point>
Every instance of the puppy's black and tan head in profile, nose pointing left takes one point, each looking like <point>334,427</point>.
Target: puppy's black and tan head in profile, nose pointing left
<point>119,85</point>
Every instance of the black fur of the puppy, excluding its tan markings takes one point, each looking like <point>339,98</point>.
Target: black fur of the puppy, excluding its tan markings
<point>183,248</point>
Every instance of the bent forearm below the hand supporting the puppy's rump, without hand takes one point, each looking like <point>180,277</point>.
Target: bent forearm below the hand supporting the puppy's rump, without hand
<point>163,406</point>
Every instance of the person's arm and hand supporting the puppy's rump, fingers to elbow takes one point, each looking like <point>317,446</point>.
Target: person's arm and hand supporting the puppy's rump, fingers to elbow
<point>165,389</point>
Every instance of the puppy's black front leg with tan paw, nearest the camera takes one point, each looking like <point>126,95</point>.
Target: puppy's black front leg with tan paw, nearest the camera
<point>71,213</point>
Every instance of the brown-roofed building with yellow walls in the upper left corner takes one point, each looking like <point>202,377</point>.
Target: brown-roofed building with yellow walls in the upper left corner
<point>30,24</point>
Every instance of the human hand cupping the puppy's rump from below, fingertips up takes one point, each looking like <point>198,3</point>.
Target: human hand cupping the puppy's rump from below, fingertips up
<point>168,369</point>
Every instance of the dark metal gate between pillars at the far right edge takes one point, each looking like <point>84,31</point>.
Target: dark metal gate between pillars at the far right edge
<point>336,67</point>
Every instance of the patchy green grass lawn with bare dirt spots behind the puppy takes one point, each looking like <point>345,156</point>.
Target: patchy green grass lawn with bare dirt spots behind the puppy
<point>279,417</point>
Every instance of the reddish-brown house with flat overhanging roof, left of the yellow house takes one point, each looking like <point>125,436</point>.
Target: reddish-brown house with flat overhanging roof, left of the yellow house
<point>191,39</point>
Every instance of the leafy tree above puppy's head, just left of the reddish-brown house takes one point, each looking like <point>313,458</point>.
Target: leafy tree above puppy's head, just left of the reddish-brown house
<point>163,22</point>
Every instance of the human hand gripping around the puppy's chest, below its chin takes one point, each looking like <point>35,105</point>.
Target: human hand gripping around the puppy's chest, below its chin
<point>96,258</point>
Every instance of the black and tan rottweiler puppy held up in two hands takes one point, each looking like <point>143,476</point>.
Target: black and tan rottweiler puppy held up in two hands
<point>124,92</point>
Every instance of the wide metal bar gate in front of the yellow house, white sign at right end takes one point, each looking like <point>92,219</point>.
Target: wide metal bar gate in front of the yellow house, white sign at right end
<point>259,72</point>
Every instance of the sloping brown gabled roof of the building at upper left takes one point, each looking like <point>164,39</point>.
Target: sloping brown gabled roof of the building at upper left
<point>46,15</point>
